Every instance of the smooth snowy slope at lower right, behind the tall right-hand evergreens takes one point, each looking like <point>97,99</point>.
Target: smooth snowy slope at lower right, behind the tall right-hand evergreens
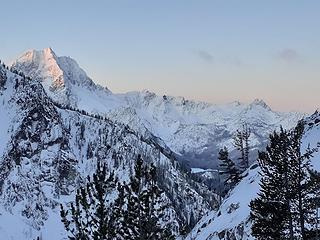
<point>231,220</point>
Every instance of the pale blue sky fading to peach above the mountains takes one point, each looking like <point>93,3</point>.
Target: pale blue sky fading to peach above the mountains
<point>216,51</point>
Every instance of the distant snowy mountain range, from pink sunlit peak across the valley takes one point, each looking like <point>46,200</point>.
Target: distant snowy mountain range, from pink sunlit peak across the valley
<point>195,130</point>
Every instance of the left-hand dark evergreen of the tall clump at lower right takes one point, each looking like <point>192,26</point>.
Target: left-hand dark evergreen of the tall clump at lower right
<point>270,212</point>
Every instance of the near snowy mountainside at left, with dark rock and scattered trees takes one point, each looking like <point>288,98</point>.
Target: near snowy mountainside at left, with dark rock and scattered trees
<point>47,151</point>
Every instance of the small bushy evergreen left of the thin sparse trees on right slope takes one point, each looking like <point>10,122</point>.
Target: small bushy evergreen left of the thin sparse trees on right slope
<point>228,168</point>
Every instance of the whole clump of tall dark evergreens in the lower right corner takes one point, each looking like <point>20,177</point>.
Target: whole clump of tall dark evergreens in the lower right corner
<point>285,206</point>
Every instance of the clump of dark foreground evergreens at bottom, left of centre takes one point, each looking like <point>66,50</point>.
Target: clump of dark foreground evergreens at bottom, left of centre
<point>136,213</point>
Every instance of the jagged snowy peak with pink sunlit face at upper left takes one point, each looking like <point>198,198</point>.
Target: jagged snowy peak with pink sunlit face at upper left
<point>60,76</point>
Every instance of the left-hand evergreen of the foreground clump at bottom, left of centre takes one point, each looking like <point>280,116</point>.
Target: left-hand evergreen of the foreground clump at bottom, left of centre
<point>89,217</point>
